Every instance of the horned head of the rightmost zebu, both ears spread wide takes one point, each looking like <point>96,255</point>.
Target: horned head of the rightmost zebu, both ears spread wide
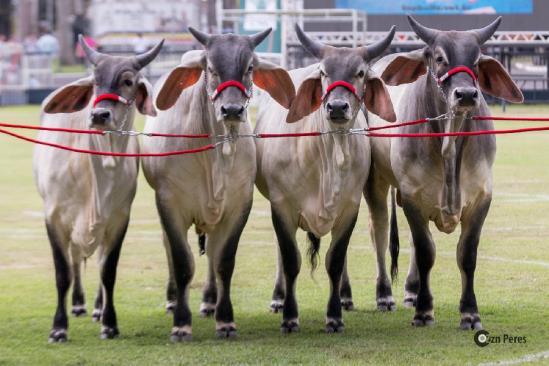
<point>456,64</point>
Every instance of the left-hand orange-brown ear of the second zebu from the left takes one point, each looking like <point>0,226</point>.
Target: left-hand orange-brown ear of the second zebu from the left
<point>186,74</point>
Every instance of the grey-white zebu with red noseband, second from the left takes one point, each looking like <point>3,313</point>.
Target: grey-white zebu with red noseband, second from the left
<point>208,93</point>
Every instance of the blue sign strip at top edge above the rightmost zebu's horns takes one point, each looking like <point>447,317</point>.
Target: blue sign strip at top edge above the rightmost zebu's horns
<point>439,6</point>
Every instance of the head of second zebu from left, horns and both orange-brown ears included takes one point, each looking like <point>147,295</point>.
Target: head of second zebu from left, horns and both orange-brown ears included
<point>230,67</point>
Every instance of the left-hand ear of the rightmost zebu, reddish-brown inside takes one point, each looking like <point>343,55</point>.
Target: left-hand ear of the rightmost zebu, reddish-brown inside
<point>405,68</point>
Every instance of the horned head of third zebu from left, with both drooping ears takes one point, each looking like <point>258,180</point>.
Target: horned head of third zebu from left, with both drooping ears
<point>342,82</point>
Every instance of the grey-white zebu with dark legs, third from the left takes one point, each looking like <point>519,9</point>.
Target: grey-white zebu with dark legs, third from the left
<point>315,183</point>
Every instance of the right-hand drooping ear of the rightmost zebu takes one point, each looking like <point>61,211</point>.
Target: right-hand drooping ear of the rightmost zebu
<point>495,80</point>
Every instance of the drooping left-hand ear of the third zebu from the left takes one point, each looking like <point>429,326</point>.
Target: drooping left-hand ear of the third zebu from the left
<point>308,98</point>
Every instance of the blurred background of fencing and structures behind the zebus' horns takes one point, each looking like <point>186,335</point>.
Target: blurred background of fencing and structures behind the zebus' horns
<point>39,50</point>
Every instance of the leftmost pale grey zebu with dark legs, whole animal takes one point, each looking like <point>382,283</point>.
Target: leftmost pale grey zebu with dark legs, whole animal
<point>87,198</point>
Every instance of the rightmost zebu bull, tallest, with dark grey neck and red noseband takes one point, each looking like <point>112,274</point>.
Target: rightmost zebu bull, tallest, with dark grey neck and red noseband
<point>446,180</point>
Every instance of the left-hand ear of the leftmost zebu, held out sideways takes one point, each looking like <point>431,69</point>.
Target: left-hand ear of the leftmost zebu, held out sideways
<point>70,98</point>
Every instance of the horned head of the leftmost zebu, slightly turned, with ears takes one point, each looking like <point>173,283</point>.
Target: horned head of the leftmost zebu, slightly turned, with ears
<point>116,84</point>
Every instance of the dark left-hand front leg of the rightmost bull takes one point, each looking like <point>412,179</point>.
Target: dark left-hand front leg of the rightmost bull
<point>425,258</point>
